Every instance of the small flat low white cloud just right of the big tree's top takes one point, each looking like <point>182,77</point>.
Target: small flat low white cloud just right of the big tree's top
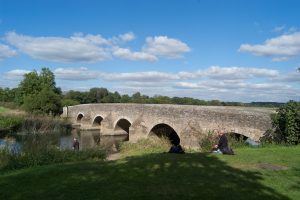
<point>77,74</point>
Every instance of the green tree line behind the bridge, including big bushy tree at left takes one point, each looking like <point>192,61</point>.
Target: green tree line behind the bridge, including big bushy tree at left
<point>37,92</point>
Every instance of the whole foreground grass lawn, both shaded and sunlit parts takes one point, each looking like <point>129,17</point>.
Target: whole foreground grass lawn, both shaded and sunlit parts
<point>164,176</point>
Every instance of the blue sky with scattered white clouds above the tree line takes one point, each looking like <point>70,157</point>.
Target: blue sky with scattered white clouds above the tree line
<point>233,50</point>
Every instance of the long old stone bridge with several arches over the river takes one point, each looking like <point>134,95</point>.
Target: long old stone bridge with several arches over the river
<point>180,123</point>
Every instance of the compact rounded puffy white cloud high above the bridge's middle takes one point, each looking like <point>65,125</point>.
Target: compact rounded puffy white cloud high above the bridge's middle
<point>165,47</point>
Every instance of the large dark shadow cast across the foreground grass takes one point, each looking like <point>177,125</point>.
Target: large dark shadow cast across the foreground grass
<point>154,176</point>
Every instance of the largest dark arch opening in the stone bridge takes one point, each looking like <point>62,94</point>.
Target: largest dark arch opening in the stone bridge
<point>164,130</point>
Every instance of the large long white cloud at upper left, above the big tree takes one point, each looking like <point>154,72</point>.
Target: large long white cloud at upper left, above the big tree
<point>77,48</point>
